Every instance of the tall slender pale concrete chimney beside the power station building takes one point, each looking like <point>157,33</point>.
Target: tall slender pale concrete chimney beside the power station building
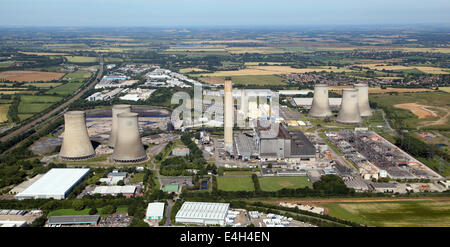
<point>228,118</point>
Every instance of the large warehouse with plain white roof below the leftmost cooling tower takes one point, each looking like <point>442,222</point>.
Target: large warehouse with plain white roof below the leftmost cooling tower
<point>56,183</point>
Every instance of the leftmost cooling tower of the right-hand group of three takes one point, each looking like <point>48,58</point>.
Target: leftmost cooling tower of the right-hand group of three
<point>320,107</point>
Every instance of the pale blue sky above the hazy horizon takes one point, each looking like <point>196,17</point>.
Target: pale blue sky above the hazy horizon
<point>101,13</point>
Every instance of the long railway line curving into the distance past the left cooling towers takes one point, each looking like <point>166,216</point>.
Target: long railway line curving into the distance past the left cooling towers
<point>58,110</point>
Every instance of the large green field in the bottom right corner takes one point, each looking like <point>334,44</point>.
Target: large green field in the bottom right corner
<point>393,214</point>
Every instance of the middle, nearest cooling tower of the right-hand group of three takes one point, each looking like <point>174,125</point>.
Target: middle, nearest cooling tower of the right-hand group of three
<point>349,113</point>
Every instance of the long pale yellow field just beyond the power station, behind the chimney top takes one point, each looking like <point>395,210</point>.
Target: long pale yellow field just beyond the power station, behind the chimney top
<point>270,70</point>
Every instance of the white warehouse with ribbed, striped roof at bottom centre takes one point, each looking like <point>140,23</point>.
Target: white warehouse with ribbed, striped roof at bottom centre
<point>205,213</point>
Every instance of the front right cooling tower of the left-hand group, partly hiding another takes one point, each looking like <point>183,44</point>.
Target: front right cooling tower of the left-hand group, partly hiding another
<point>128,146</point>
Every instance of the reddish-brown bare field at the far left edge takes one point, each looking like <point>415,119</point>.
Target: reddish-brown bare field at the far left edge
<point>21,75</point>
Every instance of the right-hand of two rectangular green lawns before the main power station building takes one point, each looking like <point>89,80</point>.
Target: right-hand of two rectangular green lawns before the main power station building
<point>278,183</point>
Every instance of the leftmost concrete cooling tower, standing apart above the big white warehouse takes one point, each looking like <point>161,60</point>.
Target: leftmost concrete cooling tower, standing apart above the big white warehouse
<point>76,144</point>
